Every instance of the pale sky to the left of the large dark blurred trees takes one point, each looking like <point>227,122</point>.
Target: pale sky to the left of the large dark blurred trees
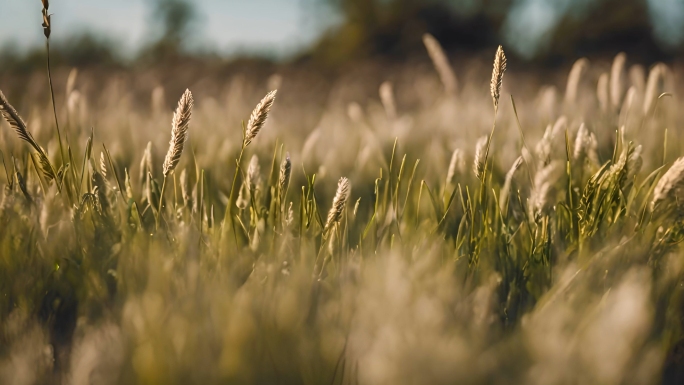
<point>276,26</point>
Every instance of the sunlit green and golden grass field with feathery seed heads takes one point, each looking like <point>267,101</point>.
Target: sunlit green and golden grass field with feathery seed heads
<point>493,228</point>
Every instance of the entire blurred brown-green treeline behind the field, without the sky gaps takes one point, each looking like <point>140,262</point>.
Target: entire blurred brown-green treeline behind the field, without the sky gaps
<point>393,29</point>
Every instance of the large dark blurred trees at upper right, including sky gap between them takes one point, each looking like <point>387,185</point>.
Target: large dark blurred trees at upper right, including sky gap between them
<point>534,29</point>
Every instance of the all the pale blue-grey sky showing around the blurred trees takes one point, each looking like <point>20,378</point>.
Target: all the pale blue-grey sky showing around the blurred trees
<point>280,27</point>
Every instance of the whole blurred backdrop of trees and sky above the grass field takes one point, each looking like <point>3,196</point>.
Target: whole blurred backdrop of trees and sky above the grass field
<point>333,33</point>
